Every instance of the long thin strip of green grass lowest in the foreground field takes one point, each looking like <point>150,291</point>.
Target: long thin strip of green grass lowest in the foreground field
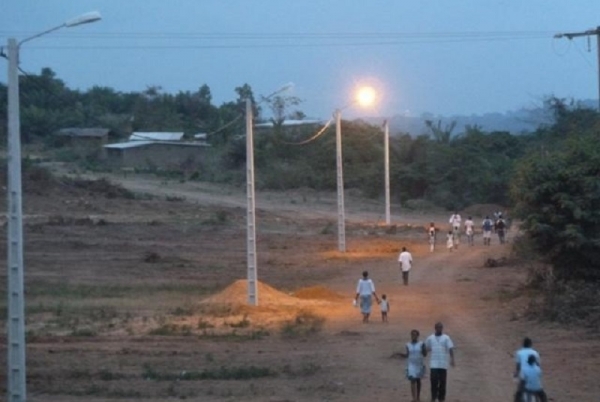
<point>221,373</point>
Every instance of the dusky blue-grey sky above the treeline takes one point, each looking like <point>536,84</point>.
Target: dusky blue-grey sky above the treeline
<point>438,56</point>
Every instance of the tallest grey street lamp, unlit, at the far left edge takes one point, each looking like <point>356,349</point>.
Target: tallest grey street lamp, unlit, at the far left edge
<point>16,300</point>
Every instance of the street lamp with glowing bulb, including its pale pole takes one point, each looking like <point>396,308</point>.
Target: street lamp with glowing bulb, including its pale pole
<point>365,97</point>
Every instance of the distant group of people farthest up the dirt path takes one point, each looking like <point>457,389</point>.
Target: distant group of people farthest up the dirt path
<point>498,225</point>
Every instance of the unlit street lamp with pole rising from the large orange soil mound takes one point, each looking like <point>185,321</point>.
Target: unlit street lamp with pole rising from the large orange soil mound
<point>251,204</point>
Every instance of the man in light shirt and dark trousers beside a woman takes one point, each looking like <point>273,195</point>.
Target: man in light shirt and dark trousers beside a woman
<point>441,346</point>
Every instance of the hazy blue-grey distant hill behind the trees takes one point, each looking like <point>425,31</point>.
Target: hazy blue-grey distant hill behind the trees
<point>515,122</point>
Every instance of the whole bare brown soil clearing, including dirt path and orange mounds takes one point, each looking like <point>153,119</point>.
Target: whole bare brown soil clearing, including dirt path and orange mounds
<point>145,299</point>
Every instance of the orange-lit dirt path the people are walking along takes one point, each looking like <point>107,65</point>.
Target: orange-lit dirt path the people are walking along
<point>442,288</point>
